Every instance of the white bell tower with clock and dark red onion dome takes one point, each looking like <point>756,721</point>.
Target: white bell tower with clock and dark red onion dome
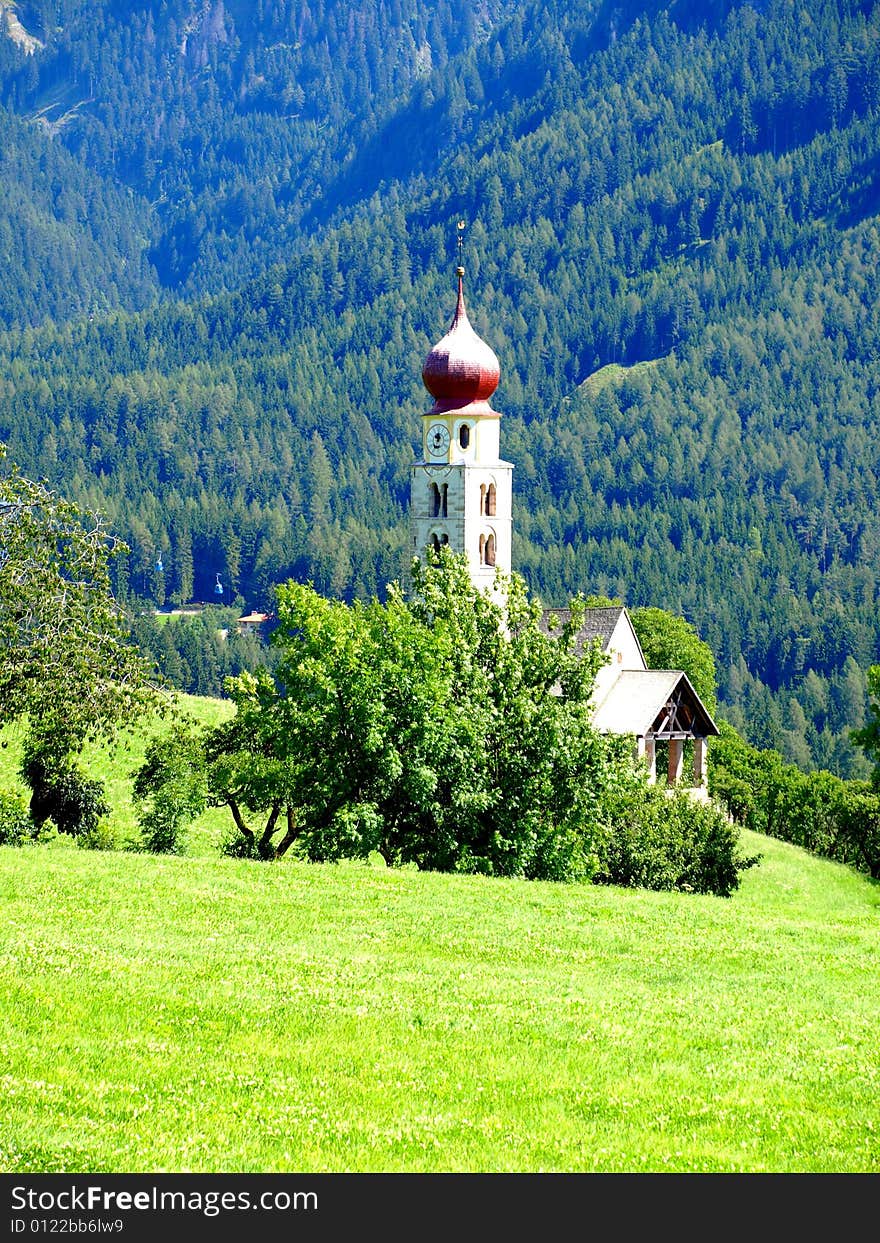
<point>462,490</point>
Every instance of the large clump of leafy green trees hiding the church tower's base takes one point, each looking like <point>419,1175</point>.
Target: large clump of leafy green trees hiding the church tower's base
<point>439,730</point>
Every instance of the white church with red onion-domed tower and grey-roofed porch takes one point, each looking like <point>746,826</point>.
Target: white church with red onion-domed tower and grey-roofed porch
<point>462,497</point>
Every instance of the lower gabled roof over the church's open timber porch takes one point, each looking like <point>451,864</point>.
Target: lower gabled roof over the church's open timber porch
<point>638,702</point>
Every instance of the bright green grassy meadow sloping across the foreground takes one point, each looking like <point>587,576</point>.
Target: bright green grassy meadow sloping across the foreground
<point>202,1014</point>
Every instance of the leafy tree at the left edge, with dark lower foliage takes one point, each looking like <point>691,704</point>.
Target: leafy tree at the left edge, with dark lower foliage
<point>66,664</point>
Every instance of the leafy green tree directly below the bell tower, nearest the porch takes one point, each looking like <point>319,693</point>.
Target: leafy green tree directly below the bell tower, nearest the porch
<point>536,785</point>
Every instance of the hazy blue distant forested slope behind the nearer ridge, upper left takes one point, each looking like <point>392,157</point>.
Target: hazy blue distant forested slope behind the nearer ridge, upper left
<point>232,120</point>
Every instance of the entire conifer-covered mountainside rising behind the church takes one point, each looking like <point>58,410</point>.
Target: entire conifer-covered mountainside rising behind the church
<point>673,243</point>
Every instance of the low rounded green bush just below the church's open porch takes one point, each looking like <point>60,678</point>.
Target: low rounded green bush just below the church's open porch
<point>671,842</point>
